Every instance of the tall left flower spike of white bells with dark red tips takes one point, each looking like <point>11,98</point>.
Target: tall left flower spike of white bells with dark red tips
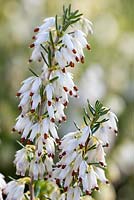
<point>44,97</point>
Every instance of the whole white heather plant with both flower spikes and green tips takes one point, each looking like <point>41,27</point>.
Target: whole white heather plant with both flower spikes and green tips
<point>50,167</point>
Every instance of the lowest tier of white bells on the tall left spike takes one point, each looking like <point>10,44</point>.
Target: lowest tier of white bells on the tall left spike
<point>27,159</point>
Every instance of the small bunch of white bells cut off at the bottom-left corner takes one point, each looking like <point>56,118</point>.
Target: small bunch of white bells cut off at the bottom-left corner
<point>15,190</point>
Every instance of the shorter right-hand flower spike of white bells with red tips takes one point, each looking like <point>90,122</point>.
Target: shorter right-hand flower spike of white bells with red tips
<point>82,157</point>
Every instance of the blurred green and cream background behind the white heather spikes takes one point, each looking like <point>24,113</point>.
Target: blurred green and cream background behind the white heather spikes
<point>107,75</point>
